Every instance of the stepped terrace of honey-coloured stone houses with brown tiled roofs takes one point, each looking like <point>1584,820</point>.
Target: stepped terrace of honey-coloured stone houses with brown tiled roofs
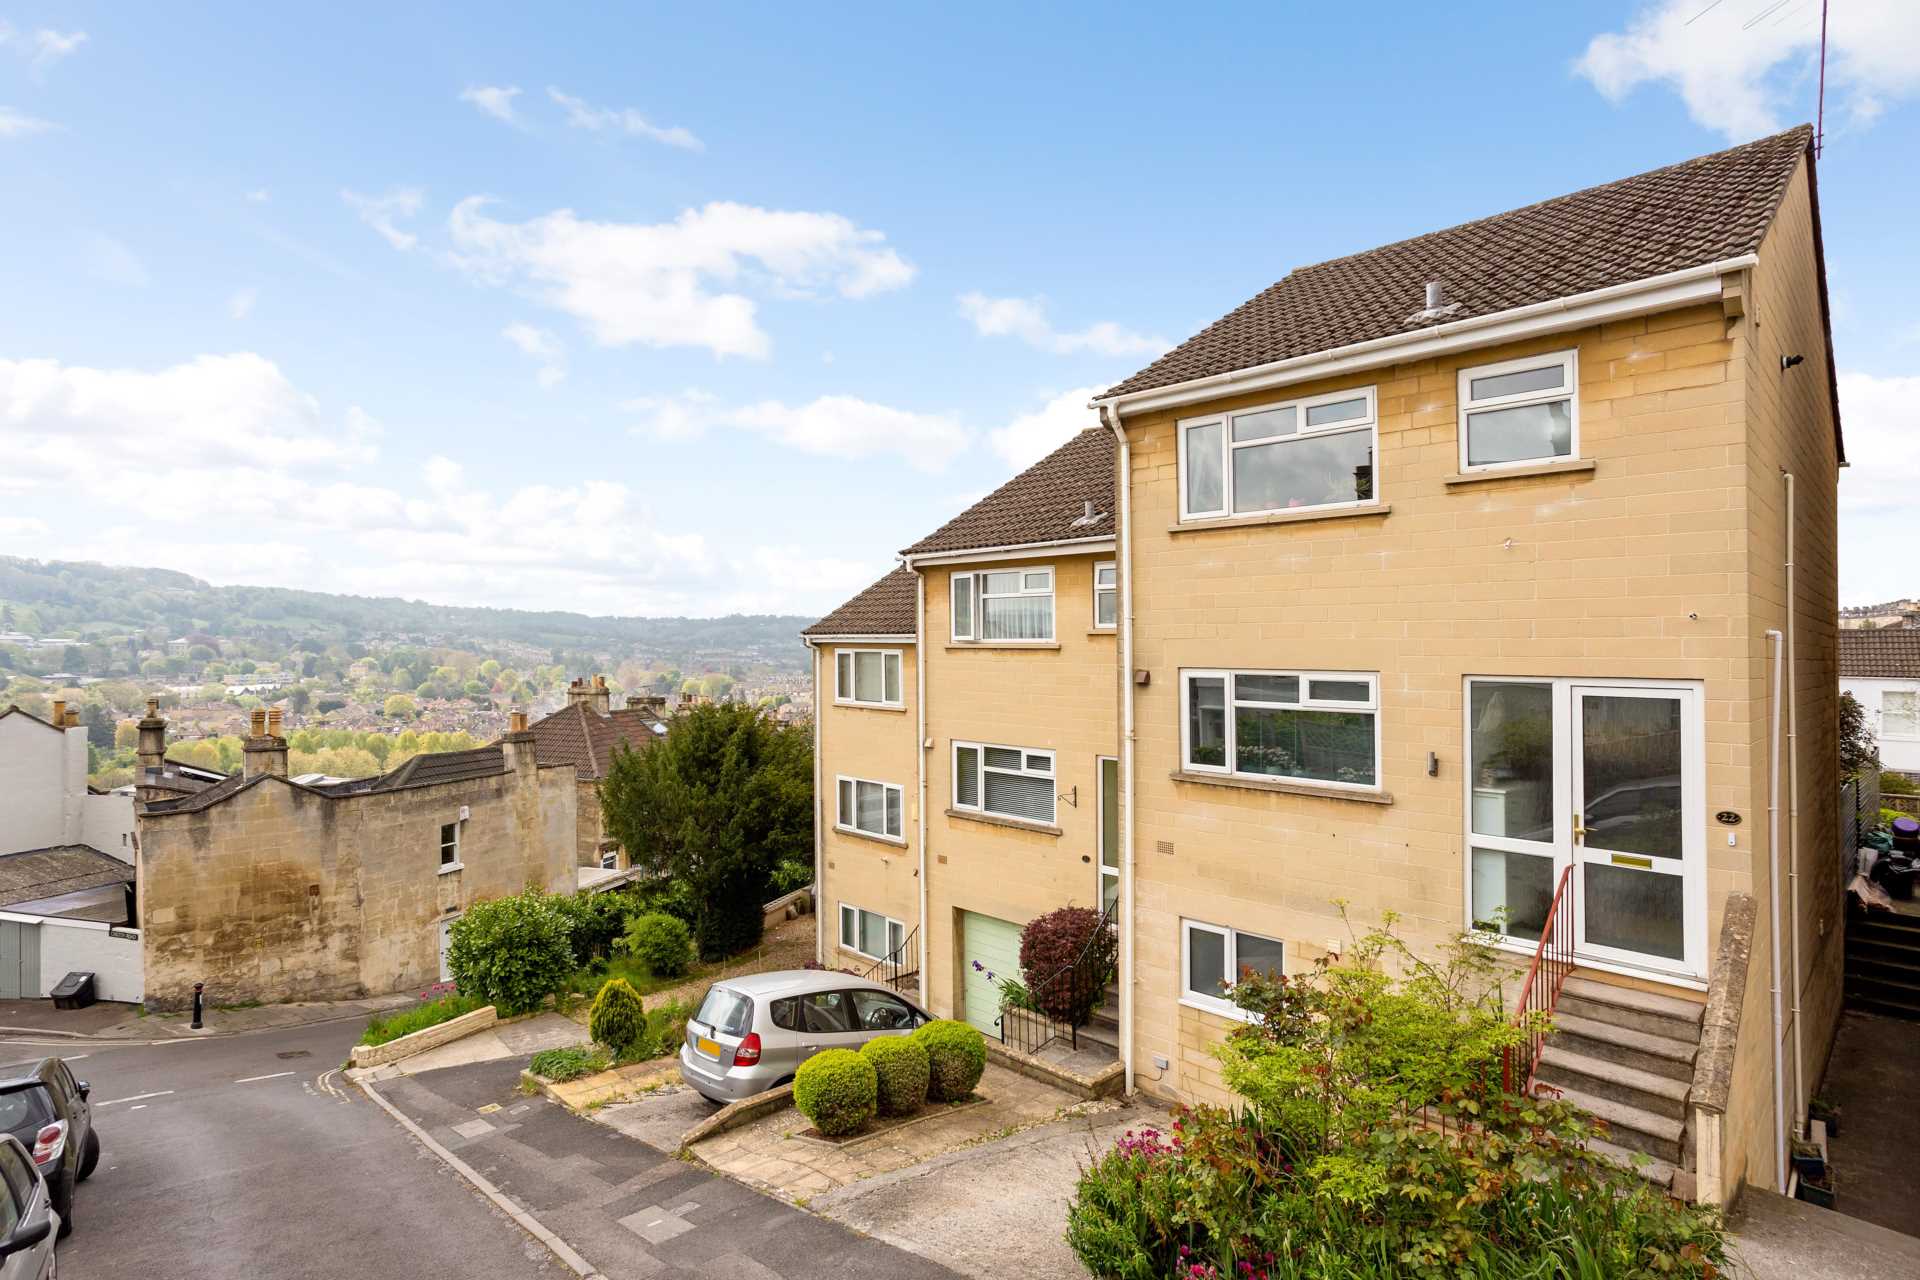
<point>1472,579</point>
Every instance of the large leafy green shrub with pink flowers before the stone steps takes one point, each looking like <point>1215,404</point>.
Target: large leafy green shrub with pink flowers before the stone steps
<point>1376,1141</point>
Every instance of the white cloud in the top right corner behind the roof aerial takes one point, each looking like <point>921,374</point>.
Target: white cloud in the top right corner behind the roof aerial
<point>1740,68</point>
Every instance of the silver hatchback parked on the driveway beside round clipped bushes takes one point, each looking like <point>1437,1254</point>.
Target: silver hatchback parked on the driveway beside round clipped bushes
<point>754,1033</point>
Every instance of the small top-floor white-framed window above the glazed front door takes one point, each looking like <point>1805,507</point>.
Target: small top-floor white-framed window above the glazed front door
<point>1520,412</point>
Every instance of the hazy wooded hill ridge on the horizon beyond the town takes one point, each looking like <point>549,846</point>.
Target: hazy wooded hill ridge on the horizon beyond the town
<point>55,598</point>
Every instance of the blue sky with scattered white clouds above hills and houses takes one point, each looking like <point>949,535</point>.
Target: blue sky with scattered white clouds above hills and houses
<point>711,310</point>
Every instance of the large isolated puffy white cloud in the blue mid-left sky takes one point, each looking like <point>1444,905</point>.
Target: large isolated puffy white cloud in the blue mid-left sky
<point>656,285</point>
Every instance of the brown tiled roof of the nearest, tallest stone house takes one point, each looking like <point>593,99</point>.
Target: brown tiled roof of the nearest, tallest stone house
<point>1685,216</point>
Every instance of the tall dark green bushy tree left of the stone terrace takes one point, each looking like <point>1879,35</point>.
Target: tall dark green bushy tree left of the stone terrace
<point>715,805</point>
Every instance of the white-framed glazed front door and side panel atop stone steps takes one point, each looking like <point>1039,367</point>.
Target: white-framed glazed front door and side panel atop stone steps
<point>1600,778</point>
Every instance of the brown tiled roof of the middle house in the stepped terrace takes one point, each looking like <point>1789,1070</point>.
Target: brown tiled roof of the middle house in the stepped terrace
<point>1044,504</point>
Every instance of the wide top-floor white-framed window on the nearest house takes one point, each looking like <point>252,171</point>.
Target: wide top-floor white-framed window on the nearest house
<point>1293,456</point>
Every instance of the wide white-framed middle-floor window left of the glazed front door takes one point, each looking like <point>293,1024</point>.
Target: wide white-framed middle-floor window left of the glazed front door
<point>1295,726</point>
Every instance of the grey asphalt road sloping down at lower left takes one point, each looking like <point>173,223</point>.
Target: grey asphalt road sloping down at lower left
<point>241,1158</point>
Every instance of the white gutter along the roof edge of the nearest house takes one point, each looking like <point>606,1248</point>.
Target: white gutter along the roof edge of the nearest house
<point>1554,316</point>
